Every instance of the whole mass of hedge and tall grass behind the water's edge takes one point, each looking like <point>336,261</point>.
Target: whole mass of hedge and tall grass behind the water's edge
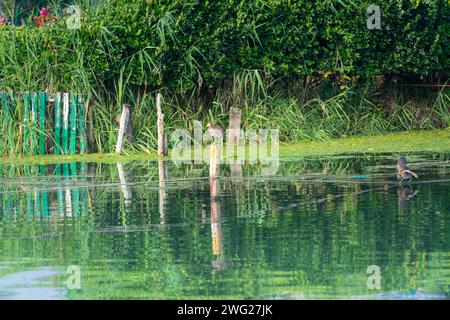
<point>298,67</point>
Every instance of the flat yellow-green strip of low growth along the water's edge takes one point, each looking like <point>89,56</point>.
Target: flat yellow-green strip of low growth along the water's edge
<point>404,142</point>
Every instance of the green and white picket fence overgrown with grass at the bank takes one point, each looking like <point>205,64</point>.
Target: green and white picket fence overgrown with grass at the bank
<point>59,118</point>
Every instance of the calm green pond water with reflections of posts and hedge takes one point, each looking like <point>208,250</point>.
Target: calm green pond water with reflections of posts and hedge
<point>310,232</point>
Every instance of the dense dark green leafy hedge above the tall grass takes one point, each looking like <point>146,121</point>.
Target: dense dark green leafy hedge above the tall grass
<point>181,44</point>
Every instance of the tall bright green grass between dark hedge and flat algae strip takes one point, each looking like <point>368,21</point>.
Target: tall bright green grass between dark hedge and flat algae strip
<point>318,113</point>
